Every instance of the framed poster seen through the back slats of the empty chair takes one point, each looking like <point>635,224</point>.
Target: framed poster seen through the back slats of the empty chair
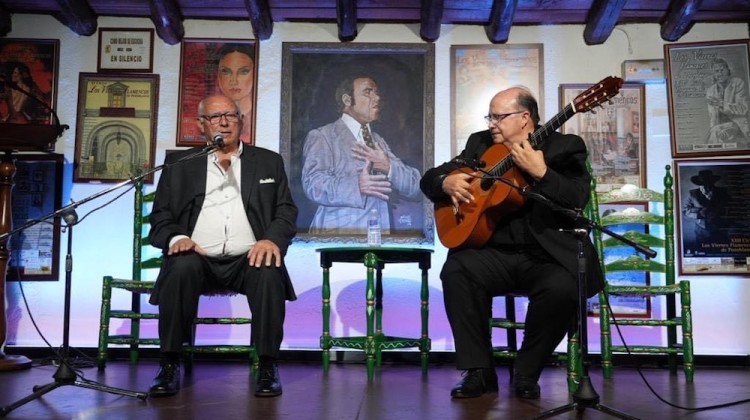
<point>623,306</point>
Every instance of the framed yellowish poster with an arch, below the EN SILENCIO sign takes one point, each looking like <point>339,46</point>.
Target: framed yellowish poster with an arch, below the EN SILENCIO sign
<point>115,127</point>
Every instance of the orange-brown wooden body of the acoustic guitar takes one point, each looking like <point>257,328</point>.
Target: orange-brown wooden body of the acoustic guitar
<point>472,224</point>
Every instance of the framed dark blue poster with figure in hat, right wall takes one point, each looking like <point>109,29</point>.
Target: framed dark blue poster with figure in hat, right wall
<point>713,235</point>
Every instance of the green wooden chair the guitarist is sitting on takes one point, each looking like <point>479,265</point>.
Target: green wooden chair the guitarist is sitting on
<point>513,327</point>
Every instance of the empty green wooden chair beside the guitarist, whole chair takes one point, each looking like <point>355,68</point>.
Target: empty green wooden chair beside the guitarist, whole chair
<point>652,226</point>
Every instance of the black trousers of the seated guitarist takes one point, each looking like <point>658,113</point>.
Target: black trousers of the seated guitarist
<point>472,277</point>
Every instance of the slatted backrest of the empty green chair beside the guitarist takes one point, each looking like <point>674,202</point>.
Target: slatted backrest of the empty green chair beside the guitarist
<point>641,215</point>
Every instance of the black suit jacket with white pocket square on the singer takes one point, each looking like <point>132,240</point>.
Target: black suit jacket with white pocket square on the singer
<point>265,193</point>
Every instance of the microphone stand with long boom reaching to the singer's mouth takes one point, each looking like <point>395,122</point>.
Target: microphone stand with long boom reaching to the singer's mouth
<point>65,375</point>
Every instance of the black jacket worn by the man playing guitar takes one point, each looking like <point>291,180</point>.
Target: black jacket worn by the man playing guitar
<point>567,182</point>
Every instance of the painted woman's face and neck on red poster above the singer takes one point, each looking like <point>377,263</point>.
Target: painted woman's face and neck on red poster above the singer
<point>236,79</point>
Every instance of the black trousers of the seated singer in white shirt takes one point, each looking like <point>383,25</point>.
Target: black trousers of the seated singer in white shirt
<point>185,276</point>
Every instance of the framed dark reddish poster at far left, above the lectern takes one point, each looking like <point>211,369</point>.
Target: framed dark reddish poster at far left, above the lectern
<point>32,64</point>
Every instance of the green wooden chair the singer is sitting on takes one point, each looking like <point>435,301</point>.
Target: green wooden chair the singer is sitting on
<point>145,259</point>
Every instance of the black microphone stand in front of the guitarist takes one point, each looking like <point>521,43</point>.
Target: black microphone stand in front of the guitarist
<point>585,395</point>
